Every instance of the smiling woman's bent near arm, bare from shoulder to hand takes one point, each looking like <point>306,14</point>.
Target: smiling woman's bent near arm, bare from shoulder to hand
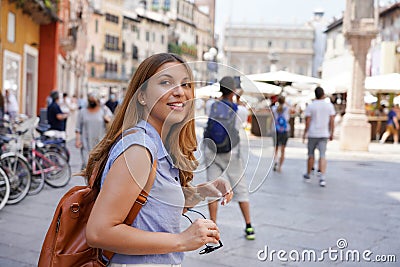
<point>124,182</point>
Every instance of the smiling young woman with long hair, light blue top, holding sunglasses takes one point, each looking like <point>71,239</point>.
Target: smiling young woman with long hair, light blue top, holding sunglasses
<point>158,107</point>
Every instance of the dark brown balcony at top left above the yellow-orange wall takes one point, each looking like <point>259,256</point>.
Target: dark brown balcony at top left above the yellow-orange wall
<point>41,11</point>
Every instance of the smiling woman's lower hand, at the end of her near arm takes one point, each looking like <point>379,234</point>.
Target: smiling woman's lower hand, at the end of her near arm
<point>199,233</point>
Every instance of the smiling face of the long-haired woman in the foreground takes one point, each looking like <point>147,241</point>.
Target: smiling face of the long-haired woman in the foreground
<point>166,96</point>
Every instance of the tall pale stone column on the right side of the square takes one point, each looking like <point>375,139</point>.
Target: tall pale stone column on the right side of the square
<point>359,28</point>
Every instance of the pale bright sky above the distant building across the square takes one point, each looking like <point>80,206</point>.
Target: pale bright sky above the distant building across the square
<point>275,11</point>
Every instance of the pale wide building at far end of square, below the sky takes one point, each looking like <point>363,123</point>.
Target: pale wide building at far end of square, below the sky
<point>262,48</point>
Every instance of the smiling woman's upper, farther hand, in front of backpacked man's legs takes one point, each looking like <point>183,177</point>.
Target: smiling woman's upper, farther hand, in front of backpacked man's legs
<point>216,189</point>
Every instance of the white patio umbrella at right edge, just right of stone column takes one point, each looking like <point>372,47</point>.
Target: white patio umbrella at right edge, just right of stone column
<point>386,83</point>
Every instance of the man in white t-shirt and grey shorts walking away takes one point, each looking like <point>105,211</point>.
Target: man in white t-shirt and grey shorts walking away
<point>319,128</point>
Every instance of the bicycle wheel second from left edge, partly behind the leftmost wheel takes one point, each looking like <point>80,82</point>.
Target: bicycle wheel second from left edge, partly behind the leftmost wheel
<point>19,175</point>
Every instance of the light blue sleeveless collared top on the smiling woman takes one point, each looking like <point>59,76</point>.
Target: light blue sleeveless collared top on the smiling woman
<point>163,210</point>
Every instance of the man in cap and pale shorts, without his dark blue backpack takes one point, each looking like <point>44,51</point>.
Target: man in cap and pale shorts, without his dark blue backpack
<point>230,163</point>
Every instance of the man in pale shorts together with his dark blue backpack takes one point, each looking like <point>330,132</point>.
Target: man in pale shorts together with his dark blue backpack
<point>222,150</point>
